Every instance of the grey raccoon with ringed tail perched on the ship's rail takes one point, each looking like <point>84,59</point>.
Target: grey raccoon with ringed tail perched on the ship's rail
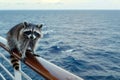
<point>23,37</point>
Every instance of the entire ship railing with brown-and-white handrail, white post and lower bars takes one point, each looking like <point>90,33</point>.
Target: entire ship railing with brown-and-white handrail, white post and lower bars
<point>46,69</point>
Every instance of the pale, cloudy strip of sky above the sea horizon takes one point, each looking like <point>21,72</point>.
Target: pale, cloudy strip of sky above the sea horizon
<point>59,4</point>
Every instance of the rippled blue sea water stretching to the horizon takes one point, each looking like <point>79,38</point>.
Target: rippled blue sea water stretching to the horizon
<point>84,42</point>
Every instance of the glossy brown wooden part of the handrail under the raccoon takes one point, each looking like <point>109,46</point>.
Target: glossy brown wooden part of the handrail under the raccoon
<point>32,62</point>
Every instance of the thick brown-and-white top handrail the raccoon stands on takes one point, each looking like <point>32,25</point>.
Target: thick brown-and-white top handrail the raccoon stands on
<point>48,70</point>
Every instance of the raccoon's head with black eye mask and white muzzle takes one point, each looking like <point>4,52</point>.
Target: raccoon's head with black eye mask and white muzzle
<point>32,31</point>
